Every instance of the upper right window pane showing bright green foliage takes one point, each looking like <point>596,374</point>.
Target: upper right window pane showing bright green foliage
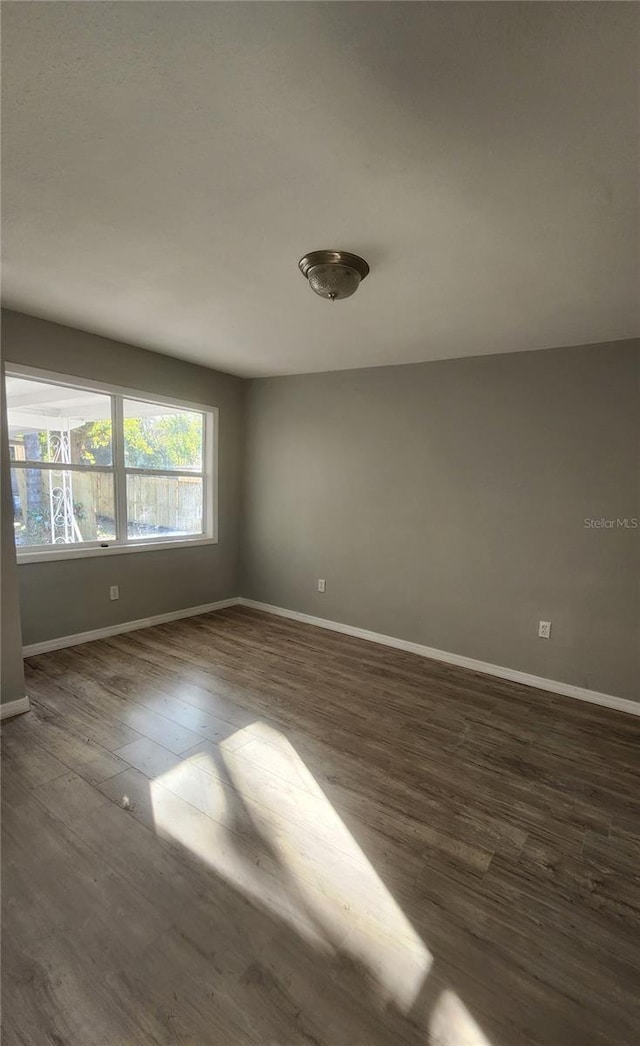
<point>163,438</point>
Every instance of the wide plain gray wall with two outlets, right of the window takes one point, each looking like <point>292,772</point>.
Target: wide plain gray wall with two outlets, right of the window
<point>445,505</point>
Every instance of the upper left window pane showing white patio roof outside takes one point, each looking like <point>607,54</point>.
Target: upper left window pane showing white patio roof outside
<point>52,423</point>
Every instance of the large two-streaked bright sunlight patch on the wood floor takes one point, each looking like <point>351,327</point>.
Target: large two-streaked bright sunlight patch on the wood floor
<point>261,821</point>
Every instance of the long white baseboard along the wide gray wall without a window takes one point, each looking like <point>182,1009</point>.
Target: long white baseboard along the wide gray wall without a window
<point>552,686</point>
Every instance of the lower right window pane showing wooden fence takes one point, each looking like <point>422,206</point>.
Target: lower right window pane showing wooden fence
<point>158,507</point>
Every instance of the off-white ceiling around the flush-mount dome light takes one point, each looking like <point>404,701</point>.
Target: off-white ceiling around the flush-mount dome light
<point>167,165</point>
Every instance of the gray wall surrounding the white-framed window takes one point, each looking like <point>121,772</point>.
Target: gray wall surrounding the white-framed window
<point>73,596</point>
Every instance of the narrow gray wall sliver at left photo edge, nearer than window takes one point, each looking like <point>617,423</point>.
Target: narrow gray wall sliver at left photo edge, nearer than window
<point>12,687</point>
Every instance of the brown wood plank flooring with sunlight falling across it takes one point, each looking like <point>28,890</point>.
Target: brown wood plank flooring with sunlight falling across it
<point>241,831</point>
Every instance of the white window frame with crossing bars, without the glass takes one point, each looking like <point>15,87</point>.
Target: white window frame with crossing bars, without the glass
<point>124,544</point>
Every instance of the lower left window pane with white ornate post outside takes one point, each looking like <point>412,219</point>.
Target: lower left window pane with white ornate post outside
<point>64,508</point>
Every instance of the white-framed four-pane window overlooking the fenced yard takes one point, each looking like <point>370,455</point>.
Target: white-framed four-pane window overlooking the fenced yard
<point>98,470</point>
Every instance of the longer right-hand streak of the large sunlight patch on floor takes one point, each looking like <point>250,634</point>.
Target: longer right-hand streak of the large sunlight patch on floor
<point>334,876</point>
